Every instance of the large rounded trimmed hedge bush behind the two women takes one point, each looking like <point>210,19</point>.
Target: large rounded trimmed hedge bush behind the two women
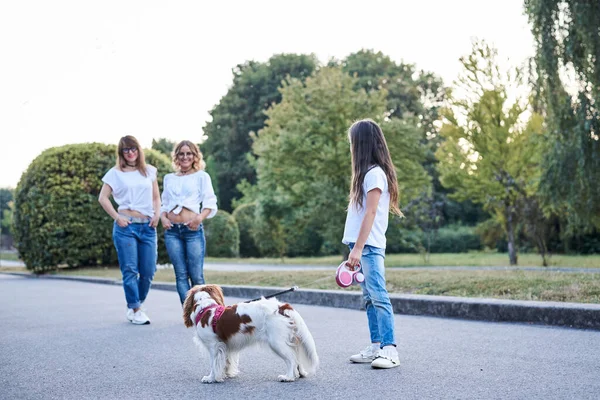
<point>58,219</point>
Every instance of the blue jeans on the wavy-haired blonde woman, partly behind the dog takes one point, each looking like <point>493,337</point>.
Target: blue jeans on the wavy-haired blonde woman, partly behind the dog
<point>186,250</point>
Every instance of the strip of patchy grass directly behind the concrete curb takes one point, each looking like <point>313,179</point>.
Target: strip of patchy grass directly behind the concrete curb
<point>516,285</point>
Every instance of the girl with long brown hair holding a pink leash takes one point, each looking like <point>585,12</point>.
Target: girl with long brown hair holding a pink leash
<point>373,194</point>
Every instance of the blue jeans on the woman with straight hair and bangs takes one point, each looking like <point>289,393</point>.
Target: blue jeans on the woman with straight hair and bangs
<point>137,251</point>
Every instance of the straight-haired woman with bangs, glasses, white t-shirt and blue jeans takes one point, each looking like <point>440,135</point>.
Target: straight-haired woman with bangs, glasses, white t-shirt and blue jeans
<point>133,186</point>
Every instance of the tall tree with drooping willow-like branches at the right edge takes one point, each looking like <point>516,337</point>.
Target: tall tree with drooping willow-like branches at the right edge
<point>567,61</point>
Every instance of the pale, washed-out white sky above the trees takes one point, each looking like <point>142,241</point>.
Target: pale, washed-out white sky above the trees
<point>92,71</point>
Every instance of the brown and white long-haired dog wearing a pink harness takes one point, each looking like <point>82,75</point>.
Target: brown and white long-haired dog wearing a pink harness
<point>225,331</point>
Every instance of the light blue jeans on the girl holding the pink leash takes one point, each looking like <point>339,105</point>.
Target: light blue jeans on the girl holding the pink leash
<point>380,313</point>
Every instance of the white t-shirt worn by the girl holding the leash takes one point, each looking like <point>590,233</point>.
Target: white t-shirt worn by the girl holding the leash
<point>375,178</point>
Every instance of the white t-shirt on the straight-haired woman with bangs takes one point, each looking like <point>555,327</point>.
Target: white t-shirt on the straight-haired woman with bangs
<point>132,190</point>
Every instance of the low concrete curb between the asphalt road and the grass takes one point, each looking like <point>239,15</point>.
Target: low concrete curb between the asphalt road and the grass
<point>572,315</point>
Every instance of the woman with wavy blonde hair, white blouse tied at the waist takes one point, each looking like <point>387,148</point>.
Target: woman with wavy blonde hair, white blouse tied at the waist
<point>188,199</point>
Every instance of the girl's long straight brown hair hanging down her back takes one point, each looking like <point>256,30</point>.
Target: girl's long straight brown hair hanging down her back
<point>369,149</point>
